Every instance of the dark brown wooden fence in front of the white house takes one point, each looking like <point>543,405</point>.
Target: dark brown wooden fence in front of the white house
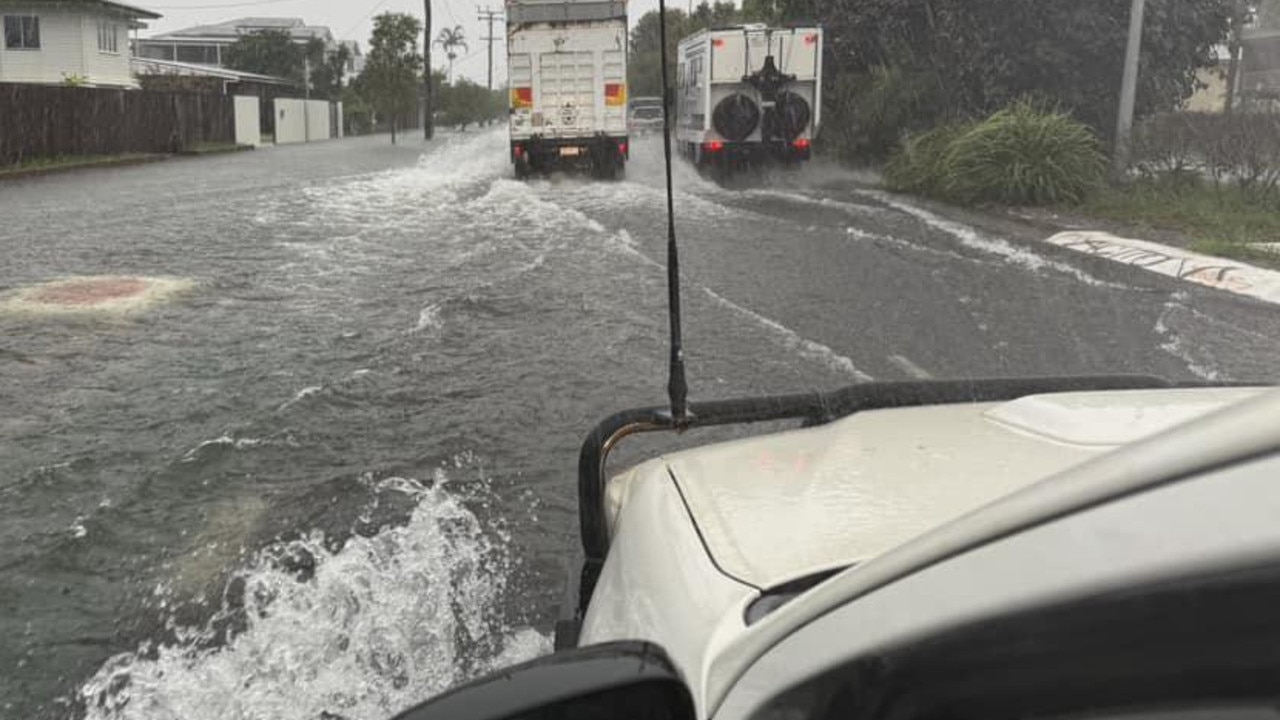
<point>49,121</point>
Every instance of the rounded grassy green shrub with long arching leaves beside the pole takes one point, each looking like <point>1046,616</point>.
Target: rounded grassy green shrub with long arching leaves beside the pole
<point>1026,154</point>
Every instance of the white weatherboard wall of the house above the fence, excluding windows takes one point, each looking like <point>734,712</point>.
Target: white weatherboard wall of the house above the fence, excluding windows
<point>68,45</point>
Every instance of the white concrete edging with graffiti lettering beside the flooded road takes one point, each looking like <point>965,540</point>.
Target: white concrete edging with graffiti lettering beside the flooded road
<point>1177,263</point>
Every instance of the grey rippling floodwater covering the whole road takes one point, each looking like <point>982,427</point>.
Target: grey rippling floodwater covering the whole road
<point>336,473</point>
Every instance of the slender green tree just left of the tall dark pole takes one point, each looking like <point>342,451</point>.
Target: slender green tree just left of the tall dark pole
<point>391,79</point>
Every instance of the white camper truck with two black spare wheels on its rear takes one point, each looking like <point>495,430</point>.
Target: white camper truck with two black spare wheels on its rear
<point>749,95</point>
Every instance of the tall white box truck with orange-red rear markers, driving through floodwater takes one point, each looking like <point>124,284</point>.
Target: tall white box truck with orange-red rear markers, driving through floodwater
<point>568,72</point>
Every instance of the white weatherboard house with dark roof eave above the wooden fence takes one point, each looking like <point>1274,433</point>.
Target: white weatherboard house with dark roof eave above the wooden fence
<point>68,40</point>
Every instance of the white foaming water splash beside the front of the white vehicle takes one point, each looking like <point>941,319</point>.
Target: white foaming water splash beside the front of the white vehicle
<point>362,632</point>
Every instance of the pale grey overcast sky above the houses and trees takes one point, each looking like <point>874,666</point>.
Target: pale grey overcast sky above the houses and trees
<point>353,20</point>
